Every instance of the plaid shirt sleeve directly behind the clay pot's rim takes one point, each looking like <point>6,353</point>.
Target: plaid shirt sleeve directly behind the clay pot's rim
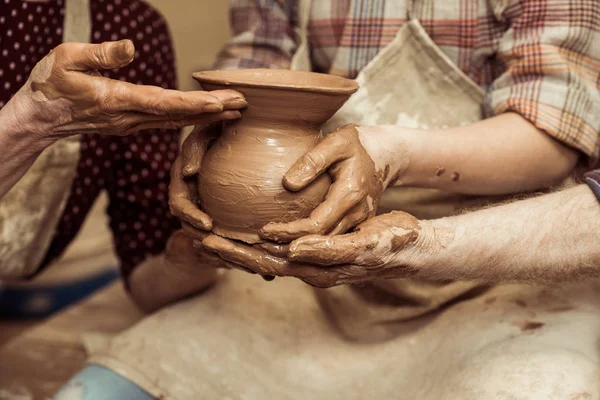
<point>263,35</point>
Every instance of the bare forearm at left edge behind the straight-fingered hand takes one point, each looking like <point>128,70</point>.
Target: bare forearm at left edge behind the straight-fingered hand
<point>19,146</point>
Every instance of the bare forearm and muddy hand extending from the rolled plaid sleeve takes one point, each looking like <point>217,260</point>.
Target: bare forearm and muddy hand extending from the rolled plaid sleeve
<point>501,155</point>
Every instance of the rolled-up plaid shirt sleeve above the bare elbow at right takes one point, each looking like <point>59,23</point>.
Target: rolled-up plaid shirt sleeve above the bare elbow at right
<point>551,52</point>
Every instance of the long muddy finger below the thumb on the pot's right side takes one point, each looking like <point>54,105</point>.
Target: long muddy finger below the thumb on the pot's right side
<point>340,199</point>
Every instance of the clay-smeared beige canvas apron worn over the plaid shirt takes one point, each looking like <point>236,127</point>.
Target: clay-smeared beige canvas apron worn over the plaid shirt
<point>250,339</point>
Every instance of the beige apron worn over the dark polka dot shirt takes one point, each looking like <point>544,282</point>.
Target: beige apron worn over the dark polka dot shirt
<point>31,210</point>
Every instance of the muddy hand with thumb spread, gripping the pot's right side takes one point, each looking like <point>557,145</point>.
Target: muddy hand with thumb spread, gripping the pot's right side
<point>353,197</point>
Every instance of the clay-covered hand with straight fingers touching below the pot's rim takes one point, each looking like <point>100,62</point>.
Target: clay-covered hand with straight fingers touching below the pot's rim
<point>65,95</point>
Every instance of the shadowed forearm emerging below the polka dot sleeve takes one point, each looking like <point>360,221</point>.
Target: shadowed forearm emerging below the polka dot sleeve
<point>155,283</point>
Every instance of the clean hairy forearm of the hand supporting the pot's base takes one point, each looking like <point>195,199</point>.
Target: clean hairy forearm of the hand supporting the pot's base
<point>551,238</point>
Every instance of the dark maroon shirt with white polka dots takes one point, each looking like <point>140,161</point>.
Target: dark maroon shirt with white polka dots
<point>134,170</point>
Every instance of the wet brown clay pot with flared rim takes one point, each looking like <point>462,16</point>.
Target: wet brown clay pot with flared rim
<point>240,182</point>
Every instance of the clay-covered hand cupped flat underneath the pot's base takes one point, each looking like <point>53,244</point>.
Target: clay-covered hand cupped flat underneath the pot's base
<point>373,251</point>
